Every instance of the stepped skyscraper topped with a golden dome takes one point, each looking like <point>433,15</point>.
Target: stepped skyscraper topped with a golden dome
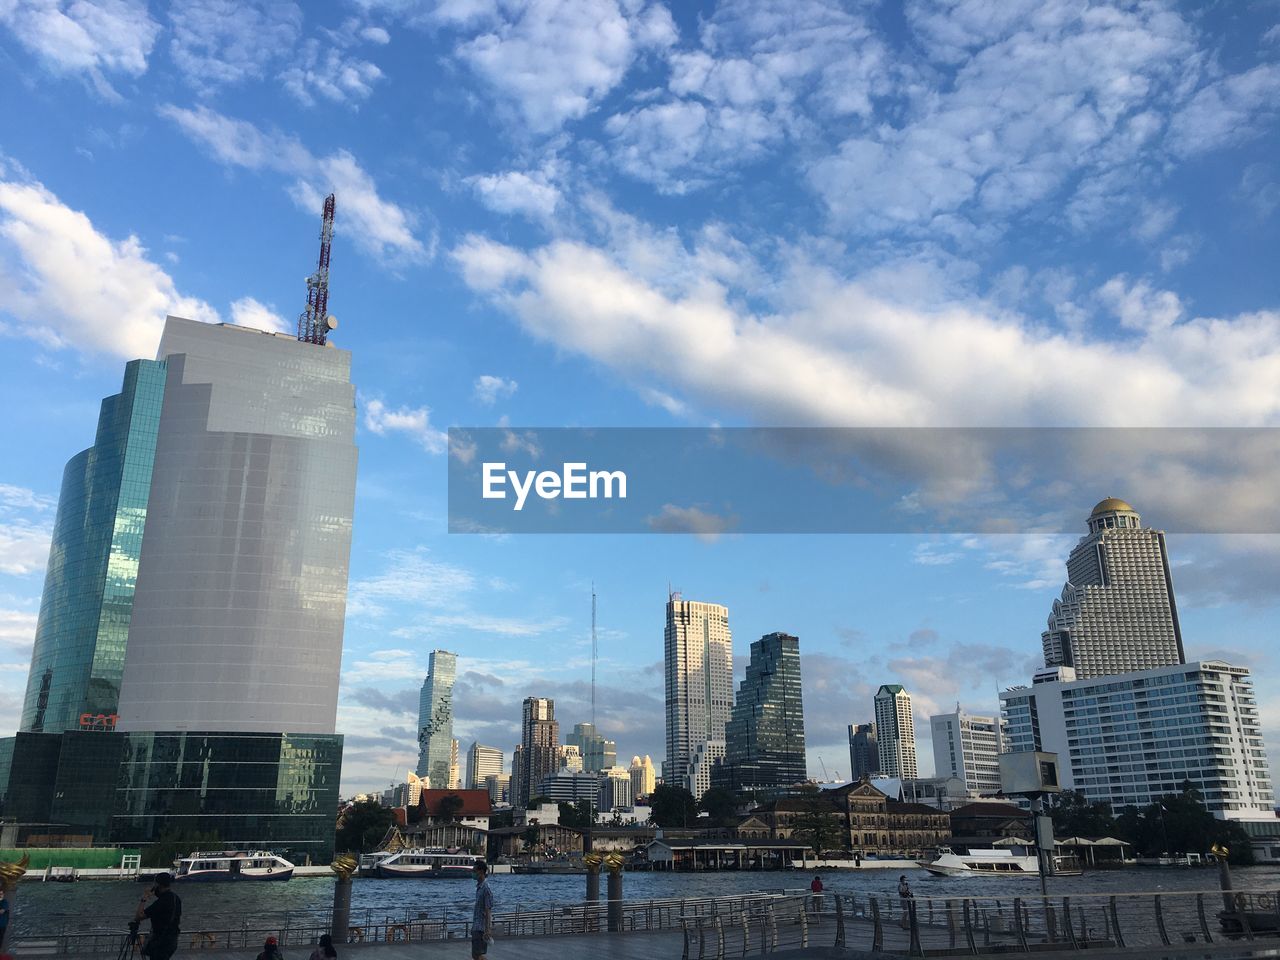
<point>1117,612</point>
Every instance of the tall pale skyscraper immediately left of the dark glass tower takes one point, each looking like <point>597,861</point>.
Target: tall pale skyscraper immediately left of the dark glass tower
<point>698,661</point>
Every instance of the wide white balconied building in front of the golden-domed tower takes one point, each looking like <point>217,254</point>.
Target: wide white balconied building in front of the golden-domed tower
<point>1135,738</point>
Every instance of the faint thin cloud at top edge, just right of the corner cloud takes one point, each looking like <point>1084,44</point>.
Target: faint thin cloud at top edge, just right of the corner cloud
<point>231,42</point>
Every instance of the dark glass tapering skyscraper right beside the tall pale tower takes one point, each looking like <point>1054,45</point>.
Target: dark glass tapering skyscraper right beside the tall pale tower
<point>765,737</point>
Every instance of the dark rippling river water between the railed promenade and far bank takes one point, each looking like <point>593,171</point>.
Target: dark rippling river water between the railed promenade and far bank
<point>108,906</point>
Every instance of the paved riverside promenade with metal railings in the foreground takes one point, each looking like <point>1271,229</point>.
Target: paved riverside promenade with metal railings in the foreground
<point>1199,924</point>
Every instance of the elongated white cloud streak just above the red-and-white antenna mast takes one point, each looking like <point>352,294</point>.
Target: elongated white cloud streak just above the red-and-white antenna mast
<point>382,228</point>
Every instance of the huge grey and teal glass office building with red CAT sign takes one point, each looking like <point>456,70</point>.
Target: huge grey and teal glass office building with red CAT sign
<point>188,655</point>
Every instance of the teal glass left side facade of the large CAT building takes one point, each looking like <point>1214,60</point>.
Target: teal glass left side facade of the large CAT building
<point>86,609</point>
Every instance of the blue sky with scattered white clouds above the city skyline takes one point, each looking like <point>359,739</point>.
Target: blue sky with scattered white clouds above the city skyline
<point>616,213</point>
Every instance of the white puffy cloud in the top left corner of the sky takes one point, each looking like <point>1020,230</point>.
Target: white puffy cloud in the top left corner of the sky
<point>109,36</point>
